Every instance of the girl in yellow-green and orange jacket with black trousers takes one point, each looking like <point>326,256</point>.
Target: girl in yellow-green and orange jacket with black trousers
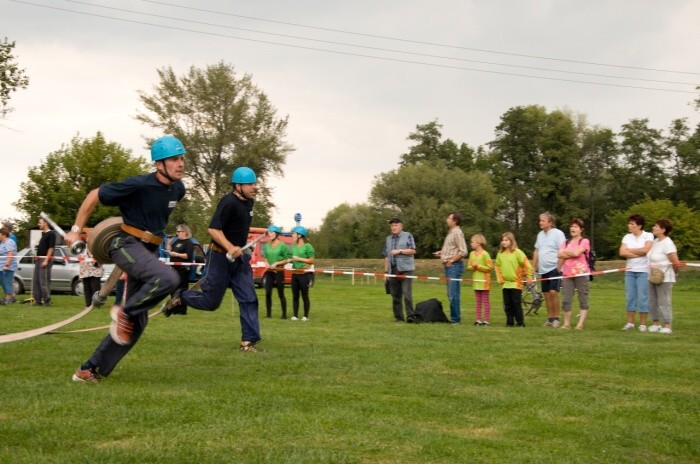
<point>512,266</point>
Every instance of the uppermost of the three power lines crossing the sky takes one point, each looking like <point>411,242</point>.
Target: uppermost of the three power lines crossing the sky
<point>397,39</point>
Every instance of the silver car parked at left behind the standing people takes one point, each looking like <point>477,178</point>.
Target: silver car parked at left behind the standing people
<point>65,273</point>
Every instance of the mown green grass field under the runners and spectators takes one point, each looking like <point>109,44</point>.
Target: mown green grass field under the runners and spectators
<point>352,386</point>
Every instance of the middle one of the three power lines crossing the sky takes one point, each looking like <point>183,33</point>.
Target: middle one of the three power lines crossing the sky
<point>425,55</point>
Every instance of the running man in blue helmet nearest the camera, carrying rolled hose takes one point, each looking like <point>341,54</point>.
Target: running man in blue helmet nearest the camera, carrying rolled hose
<point>145,202</point>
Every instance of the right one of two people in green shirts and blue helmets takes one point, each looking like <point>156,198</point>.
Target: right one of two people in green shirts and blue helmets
<point>302,264</point>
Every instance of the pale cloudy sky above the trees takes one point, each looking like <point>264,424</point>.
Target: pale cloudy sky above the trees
<point>354,77</point>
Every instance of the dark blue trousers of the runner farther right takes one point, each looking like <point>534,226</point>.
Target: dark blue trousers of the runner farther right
<point>238,276</point>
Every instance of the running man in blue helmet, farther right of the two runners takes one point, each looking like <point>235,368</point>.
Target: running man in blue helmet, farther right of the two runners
<point>227,265</point>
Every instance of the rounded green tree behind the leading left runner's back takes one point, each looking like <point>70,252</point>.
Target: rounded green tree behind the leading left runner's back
<point>59,185</point>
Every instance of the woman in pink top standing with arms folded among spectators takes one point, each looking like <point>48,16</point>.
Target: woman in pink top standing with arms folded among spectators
<point>573,256</point>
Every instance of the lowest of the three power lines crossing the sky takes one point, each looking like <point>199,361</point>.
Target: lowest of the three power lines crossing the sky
<point>436,65</point>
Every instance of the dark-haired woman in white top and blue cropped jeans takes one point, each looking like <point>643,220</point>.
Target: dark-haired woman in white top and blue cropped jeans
<point>635,246</point>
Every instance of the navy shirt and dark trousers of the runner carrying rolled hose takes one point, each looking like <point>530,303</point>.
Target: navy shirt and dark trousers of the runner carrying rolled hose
<point>146,204</point>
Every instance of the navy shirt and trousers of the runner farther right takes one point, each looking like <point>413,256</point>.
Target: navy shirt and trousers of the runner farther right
<point>233,217</point>
